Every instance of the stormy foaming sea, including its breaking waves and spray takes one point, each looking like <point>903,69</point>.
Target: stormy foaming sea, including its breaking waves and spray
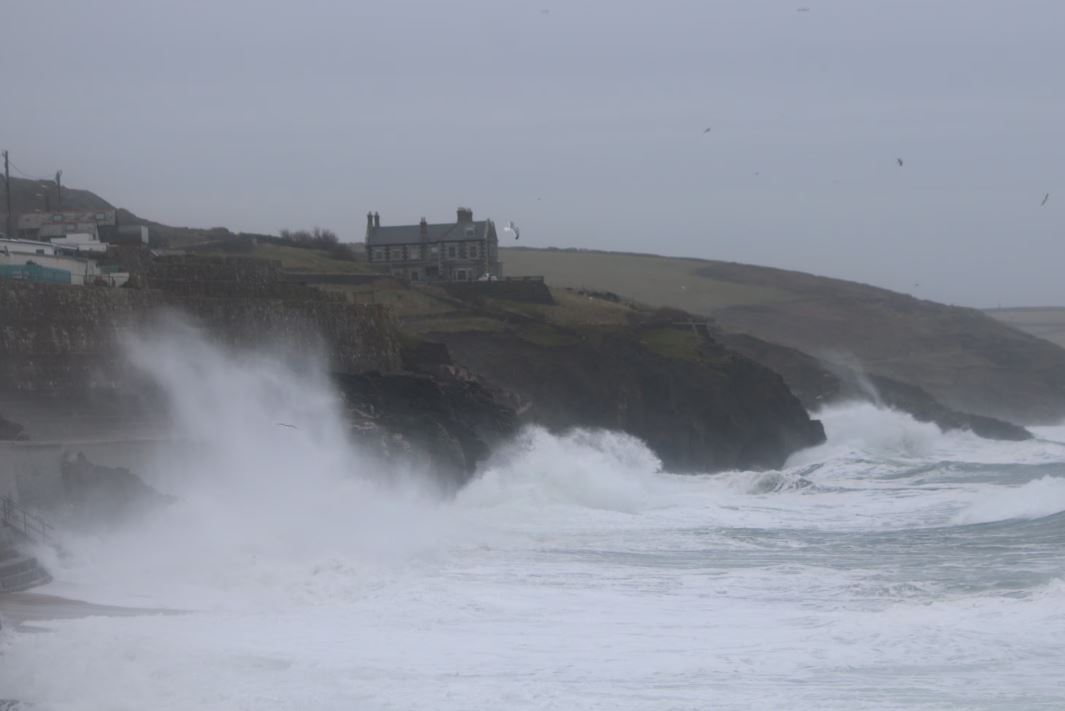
<point>896,567</point>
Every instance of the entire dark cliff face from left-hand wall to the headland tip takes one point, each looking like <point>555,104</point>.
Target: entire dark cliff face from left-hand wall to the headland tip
<point>700,407</point>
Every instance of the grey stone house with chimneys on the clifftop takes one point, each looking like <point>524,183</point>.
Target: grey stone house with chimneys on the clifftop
<point>464,251</point>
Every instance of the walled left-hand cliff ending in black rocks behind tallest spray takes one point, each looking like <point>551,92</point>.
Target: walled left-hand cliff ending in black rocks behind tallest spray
<point>61,360</point>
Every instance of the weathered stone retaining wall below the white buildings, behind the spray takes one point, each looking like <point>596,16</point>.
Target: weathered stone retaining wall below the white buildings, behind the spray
<point>59,339</point>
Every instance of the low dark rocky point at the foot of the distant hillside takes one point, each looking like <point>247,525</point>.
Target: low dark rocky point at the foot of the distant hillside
<point>818,384</point>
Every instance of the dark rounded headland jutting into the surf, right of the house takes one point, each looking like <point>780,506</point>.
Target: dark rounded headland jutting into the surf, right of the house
<point>717,412</point>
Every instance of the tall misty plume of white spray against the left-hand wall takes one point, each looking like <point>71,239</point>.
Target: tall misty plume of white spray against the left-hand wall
<point>269,490</point>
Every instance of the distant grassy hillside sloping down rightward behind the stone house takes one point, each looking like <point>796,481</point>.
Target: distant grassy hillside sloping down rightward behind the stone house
<point>964,357</point>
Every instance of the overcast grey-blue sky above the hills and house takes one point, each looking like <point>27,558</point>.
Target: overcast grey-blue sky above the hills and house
<point>583,122</point>
